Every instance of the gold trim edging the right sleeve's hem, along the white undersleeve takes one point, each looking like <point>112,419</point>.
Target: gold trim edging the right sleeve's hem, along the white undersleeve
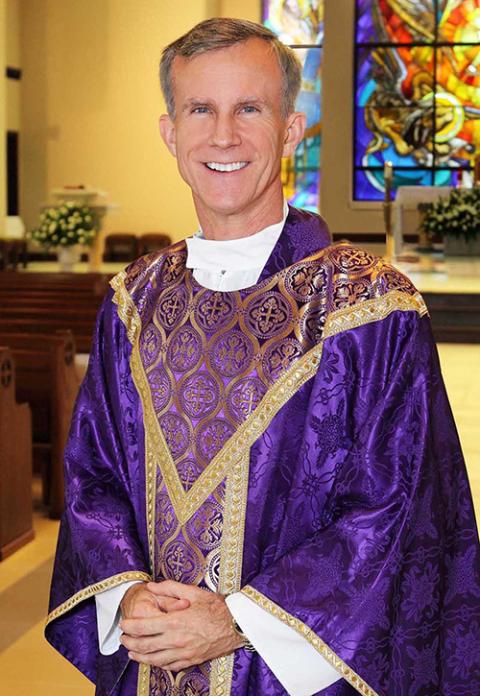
<point>315,641</point>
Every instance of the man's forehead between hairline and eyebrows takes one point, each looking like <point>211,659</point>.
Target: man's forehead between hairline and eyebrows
<point>250,65</point>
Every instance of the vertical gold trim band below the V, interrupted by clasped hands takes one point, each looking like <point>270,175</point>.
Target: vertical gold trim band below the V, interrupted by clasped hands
<point>231,557</point>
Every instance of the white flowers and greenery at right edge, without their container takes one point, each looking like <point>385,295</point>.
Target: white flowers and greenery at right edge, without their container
<point>455,216</point>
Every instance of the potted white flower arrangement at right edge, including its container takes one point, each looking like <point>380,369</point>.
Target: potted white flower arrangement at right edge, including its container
<point>456,220</point>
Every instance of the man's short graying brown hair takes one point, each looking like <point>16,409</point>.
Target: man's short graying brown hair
<point>219,32</point>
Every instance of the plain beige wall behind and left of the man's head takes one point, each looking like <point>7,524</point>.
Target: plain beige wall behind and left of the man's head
<point>91,105</point>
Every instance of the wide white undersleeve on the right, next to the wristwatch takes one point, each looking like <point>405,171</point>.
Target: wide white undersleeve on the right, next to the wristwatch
<point>300,669</point>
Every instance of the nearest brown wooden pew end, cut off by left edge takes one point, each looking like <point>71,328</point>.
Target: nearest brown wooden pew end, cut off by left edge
<point>15,463</point>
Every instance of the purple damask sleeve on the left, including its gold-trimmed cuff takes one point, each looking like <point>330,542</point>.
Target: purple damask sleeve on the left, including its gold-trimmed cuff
<point>102,539</point>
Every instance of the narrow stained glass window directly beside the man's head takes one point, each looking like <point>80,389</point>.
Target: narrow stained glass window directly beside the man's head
<point>299,24</point>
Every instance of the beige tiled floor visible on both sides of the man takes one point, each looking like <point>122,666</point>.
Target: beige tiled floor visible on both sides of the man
<point>29,667</point>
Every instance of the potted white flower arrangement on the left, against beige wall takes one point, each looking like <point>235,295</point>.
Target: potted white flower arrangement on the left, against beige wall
<point>66,227</point>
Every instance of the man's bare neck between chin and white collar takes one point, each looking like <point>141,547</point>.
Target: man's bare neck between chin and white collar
<point>220,226</point>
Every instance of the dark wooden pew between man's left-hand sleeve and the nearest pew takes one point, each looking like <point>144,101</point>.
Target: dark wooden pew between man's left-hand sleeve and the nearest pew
<point>47,379</point>
